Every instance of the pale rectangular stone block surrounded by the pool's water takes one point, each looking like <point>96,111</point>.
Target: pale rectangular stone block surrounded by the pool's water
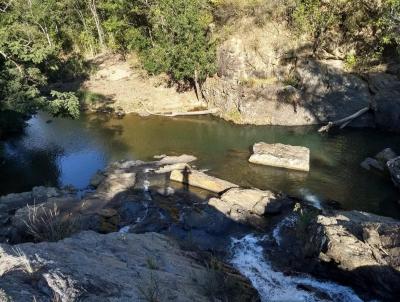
<point>283,156</point>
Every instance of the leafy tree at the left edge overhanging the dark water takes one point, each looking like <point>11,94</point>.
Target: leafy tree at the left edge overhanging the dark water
<point>31,43</point>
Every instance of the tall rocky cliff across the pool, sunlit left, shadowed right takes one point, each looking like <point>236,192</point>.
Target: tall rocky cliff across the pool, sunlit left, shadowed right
<point>270,76</point>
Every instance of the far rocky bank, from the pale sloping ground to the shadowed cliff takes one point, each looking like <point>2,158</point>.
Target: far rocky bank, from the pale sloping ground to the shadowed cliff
<point>262,86</point>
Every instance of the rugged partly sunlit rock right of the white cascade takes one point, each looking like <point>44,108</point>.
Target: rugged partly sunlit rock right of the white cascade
<point>361,248</point>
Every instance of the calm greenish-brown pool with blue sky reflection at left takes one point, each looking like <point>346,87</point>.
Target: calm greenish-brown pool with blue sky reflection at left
<point>65,152</point>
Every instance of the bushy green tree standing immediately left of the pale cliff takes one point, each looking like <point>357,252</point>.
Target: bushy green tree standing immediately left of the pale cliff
<point>179,43</point>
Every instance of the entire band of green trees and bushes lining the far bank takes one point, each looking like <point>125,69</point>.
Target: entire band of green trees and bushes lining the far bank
<point>45,41</point>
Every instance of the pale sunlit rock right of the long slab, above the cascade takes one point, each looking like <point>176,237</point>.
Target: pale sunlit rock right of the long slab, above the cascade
<point>248,205</point>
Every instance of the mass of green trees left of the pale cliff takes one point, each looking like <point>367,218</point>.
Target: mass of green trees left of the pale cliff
<point>43,41</point>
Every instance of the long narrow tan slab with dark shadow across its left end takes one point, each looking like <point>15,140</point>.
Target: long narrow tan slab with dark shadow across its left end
<point>201,180</point>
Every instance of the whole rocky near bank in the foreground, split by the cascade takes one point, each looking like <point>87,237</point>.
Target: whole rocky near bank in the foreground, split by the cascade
<point>143,232</point>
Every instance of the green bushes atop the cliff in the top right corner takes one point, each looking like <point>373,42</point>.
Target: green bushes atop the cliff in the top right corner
<point>370,26</point>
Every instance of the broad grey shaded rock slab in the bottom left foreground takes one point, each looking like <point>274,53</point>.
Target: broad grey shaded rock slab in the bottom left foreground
<point>113,267</point>
